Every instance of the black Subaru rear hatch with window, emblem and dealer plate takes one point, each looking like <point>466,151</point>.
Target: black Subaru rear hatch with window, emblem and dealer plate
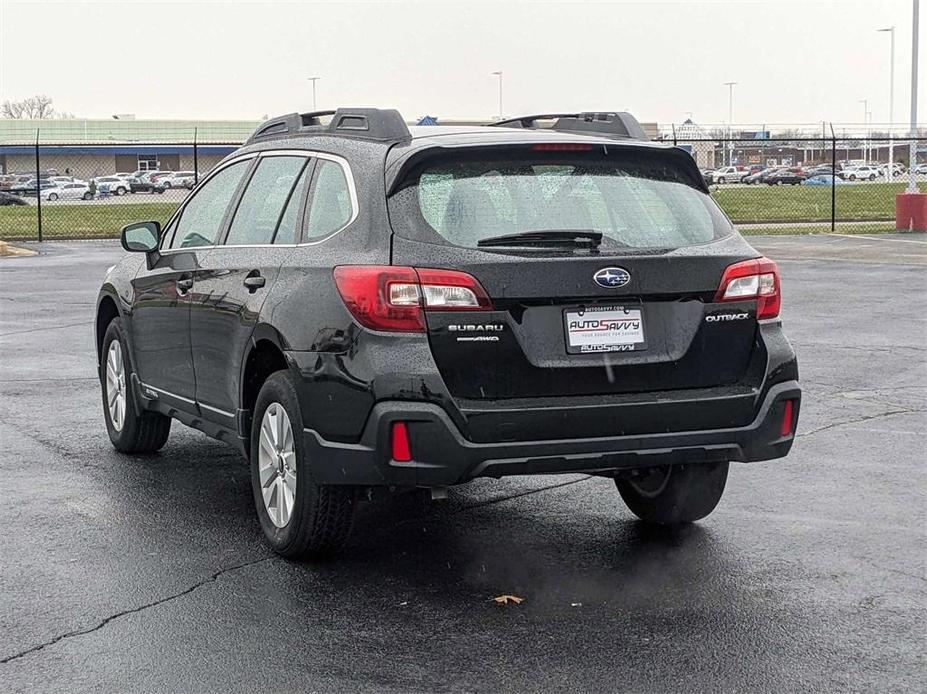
<point>612,291</point>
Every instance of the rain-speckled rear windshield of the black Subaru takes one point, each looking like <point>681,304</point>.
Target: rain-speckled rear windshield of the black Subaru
<point>635,199</point>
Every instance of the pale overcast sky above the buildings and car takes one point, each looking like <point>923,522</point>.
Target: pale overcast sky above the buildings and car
<point>795,62</point>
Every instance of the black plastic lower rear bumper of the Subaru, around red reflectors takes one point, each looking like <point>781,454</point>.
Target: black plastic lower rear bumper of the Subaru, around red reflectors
<point>443,456</point>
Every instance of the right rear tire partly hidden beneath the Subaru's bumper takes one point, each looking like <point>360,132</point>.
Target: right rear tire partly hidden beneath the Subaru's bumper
<point>676,494</point>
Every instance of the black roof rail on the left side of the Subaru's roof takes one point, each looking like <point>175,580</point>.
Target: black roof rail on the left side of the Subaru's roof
<point>385,125</point>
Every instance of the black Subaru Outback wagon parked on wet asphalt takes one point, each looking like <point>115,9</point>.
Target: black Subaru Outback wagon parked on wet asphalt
<point>357,304</point>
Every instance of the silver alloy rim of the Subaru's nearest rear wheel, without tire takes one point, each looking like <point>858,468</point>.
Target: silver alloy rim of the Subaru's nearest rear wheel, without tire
<point>277,464</point>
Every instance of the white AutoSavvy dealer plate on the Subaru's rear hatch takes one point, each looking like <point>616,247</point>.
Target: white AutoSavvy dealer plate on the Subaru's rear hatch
<point>604,329</point>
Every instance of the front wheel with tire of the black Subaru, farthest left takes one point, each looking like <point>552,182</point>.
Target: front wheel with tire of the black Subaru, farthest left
<point>138,432</point>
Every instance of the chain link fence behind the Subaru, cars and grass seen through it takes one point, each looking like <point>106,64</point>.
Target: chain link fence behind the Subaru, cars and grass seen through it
<point>54,188</point>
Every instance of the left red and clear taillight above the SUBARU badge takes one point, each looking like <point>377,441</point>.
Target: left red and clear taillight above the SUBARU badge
<point>395,298</point>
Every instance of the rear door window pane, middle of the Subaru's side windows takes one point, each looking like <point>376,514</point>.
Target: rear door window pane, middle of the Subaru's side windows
<point>262,204</point>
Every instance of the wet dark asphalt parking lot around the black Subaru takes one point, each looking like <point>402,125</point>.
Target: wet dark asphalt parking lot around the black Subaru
<point>149,574</point>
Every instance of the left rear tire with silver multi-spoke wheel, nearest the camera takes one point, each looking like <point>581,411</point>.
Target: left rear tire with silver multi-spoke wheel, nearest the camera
<point>319,518</point>
